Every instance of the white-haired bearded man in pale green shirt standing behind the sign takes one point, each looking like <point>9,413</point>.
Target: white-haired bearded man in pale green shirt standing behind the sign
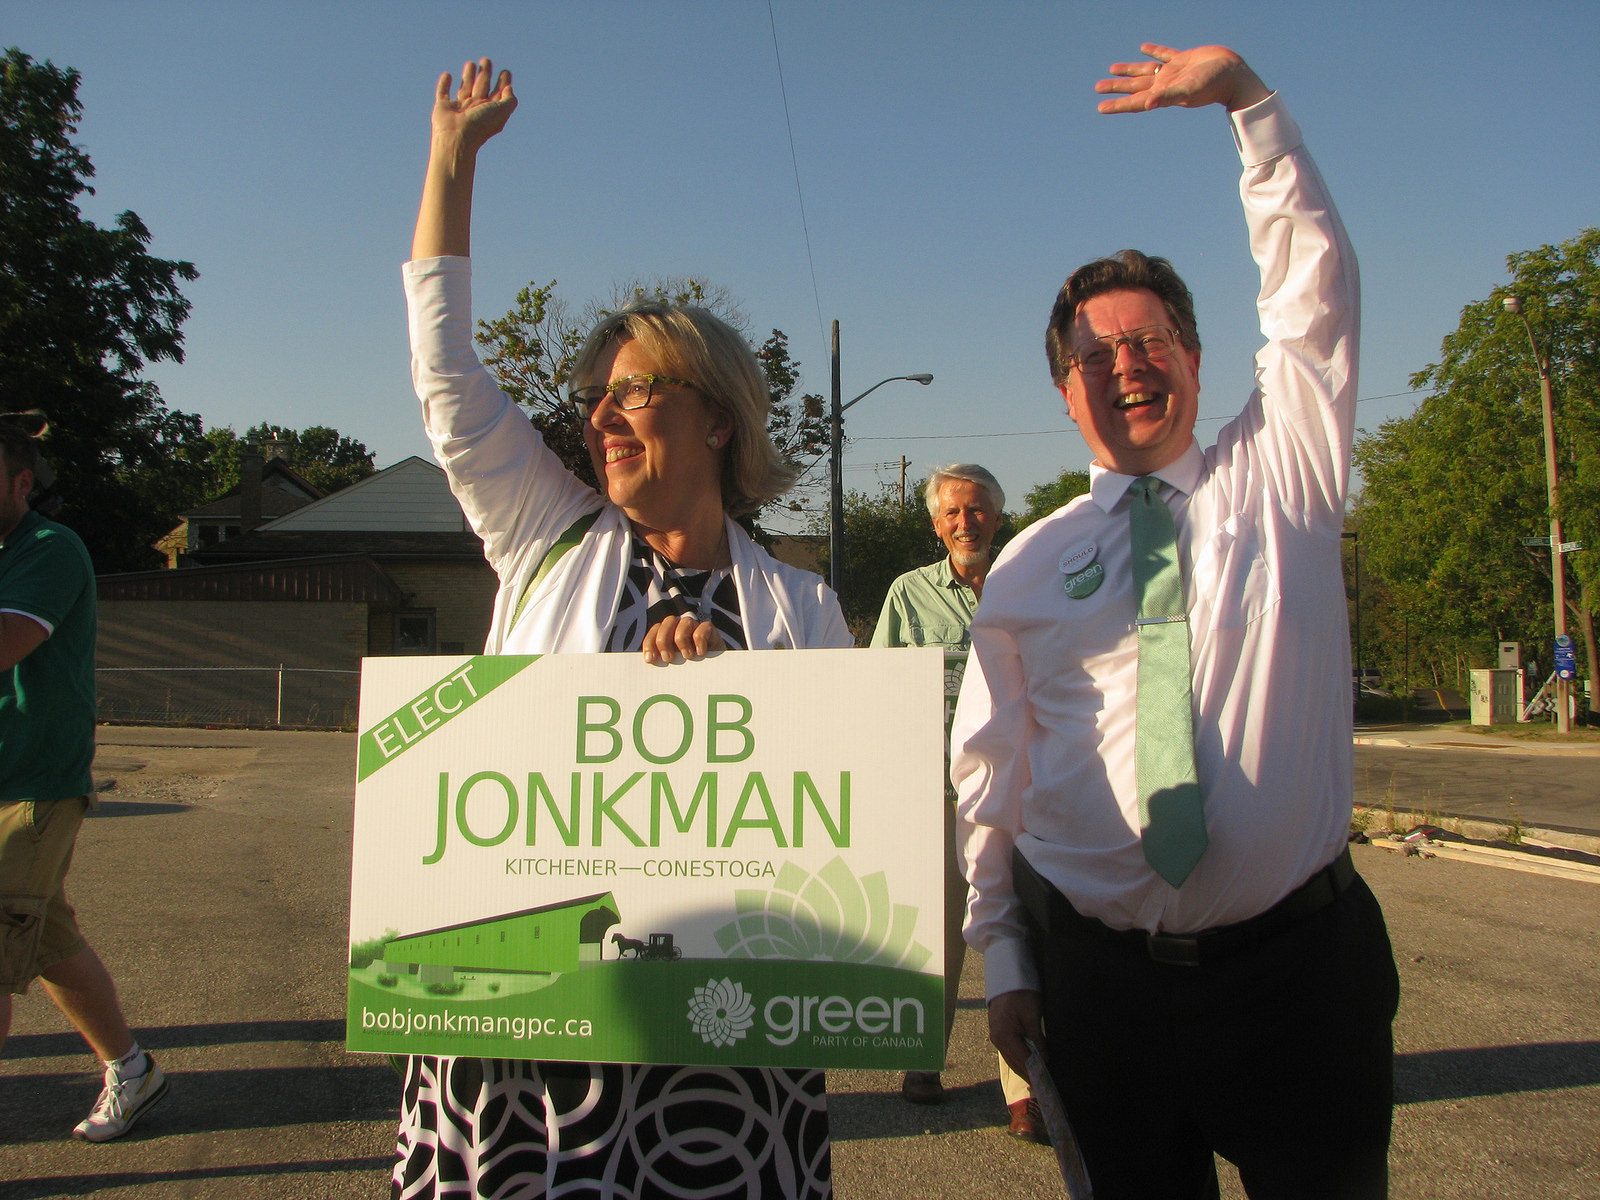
<point>934,607</point>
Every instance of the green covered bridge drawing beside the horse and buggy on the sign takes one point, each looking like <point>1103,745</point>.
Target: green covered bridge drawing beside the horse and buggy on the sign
<point>550,940</point>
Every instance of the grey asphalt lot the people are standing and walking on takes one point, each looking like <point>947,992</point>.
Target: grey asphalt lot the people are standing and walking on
<point>214,882</point>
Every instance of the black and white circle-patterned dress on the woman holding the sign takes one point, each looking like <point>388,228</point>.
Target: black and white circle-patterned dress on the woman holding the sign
<point>514,1130</point>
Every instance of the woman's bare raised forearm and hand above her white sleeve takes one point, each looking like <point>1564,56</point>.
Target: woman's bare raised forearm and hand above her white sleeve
<point>462,126</point>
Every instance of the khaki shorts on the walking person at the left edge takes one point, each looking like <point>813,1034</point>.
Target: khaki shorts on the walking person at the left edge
<point>38,926</point>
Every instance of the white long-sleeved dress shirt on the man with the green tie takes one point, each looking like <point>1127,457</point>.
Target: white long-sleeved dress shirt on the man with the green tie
<point>1044,730</point>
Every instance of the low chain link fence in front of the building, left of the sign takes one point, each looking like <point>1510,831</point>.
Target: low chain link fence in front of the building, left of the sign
<point>303,698</point>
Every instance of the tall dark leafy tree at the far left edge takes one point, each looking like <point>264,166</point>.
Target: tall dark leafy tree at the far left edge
<point>82,313</point>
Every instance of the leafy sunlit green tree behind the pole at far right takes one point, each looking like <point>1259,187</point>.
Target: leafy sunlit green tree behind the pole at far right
<point>1454,490</point>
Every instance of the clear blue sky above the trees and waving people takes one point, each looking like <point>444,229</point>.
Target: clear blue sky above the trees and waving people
<point>950,158</point>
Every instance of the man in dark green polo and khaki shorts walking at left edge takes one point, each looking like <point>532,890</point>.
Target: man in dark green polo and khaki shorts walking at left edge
<point>47,743</point>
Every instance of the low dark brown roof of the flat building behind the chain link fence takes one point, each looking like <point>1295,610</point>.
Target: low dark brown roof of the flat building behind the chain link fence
<point>351,578</point>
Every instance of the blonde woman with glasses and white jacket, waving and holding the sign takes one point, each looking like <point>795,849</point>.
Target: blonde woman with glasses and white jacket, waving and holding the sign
<point>674,414</point>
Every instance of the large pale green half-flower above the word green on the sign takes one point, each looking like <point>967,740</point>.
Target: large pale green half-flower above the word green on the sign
<point>825,918</point>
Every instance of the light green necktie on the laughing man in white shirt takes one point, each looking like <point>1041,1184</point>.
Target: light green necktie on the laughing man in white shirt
<point>1172,815</point>
